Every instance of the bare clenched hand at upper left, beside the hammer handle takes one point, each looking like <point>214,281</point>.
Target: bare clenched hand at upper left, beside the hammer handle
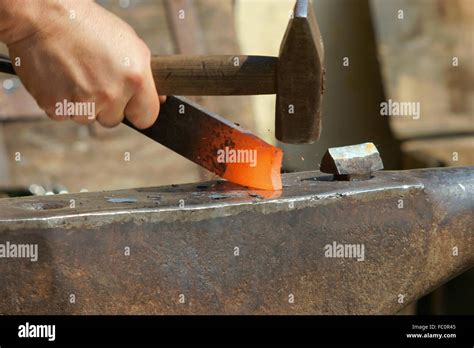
<point>77,53</point>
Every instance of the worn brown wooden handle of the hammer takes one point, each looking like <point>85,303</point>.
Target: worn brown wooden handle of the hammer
<point>214,75</point>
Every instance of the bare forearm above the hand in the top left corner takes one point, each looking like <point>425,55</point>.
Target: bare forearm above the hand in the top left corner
<point>22,18</point>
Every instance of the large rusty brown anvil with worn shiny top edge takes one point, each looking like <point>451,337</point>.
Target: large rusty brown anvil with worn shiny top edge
<point>182,241</point>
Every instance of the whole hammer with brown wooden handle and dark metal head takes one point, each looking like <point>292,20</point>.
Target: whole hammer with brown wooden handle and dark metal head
<point>296,76</point>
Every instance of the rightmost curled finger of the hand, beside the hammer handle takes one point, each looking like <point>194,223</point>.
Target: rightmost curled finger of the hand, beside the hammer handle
<point>143,108</point>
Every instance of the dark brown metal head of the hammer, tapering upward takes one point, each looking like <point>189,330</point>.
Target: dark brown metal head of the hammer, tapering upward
<point>300,79</point>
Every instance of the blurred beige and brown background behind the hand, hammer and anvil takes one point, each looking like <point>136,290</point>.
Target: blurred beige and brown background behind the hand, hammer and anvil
<point>375,50</point>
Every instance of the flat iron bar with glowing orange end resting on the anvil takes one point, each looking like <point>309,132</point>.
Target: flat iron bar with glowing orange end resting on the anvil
<point>216,144</point>
